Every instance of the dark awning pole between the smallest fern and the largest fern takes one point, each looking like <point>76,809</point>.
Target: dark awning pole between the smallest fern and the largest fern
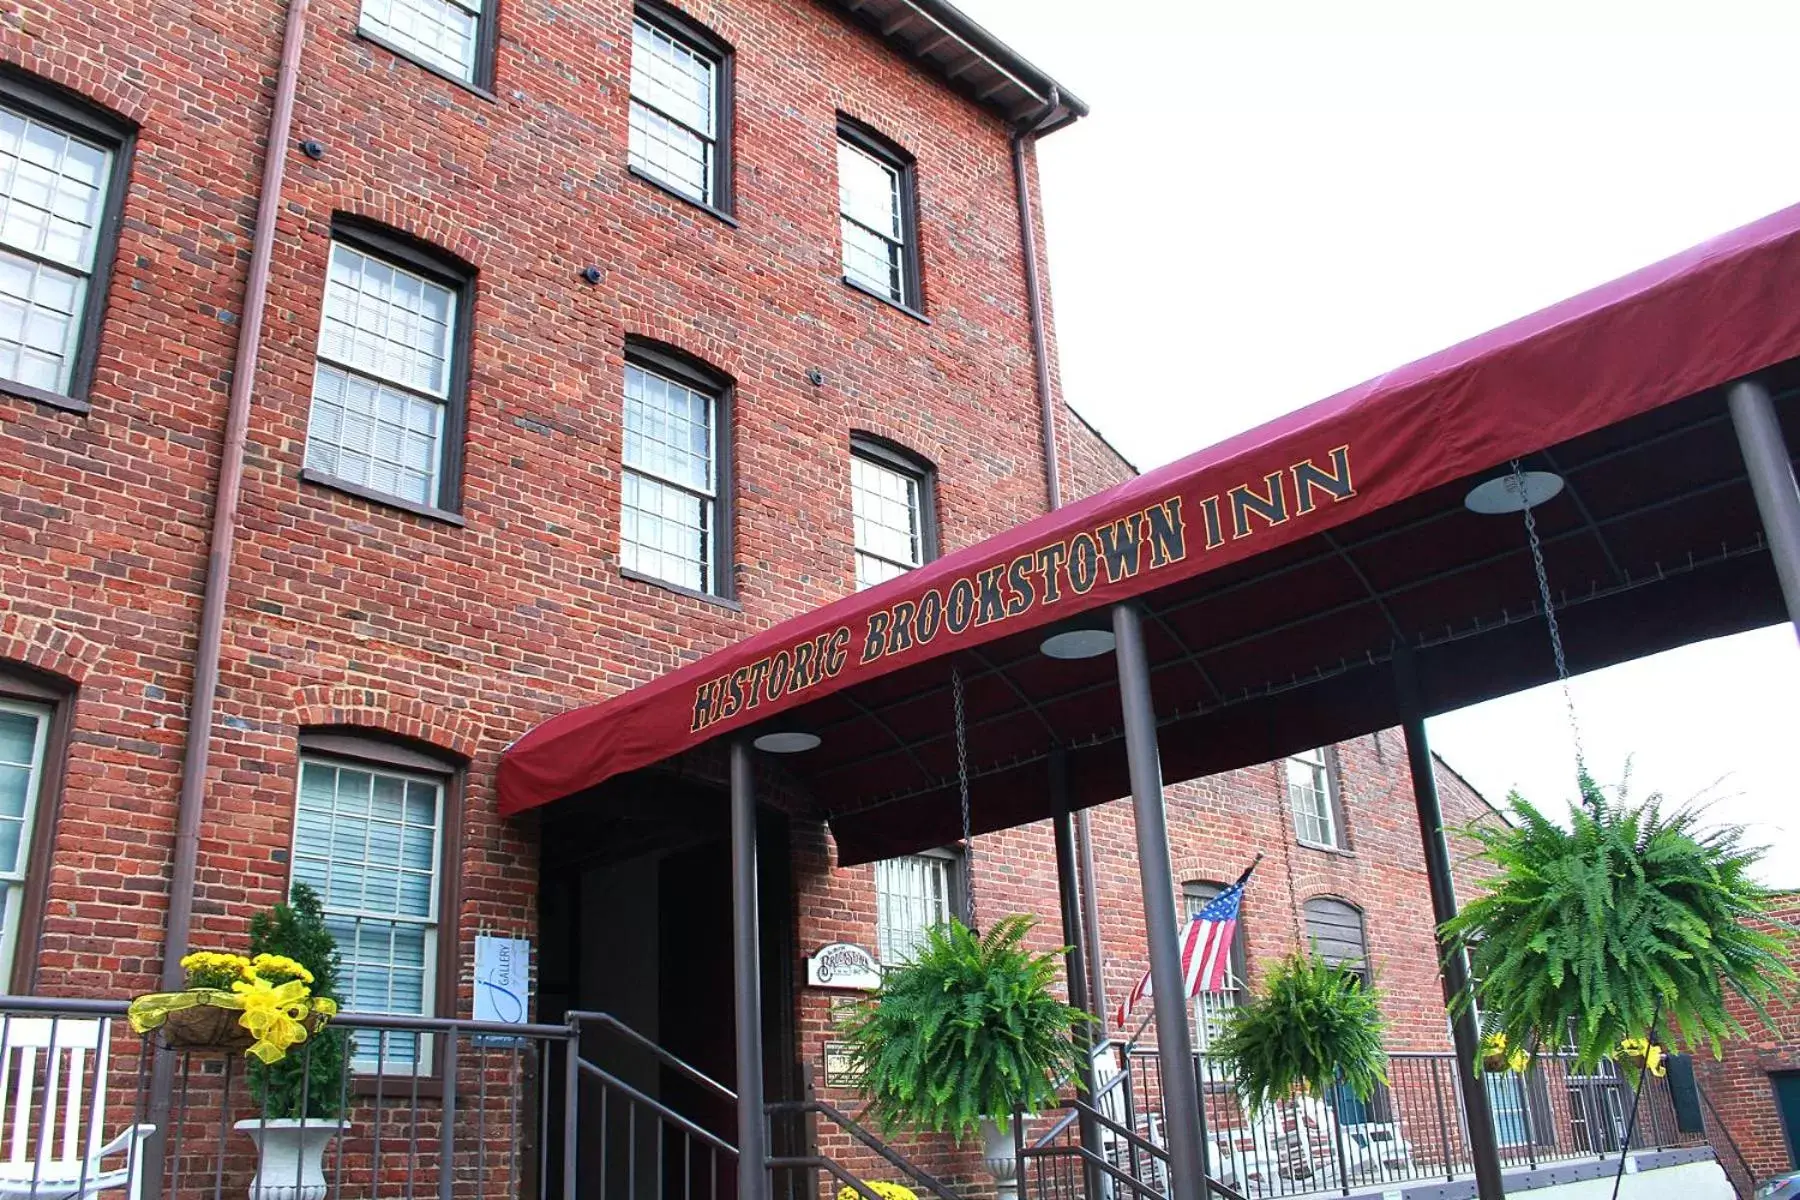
<point>1466,1026</point>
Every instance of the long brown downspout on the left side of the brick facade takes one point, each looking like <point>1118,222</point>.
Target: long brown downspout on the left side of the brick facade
<point>201,710</point>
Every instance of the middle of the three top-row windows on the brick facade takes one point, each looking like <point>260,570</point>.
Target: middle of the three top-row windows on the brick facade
<point>678,109</point>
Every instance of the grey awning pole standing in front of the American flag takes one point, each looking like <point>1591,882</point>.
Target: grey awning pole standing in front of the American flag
<point>1182,1098</point>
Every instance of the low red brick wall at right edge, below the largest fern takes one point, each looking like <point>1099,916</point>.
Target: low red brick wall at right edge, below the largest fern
<point>1743,1122</point>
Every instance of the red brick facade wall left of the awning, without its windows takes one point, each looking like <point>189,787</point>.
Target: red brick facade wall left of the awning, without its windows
<point>462,636</point>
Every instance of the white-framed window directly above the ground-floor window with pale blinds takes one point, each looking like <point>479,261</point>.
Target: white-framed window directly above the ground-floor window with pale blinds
<point>381,416</point>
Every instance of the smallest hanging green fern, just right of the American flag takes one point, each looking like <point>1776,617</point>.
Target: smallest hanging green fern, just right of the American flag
<point>1313,1026</point>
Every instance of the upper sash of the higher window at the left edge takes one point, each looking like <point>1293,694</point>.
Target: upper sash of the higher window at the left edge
<point>53,190</point>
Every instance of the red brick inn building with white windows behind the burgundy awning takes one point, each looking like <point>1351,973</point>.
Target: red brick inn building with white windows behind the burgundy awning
<point>595,339</point>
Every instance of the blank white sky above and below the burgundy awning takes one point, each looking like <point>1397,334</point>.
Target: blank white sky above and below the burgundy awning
<point>1279,199</point>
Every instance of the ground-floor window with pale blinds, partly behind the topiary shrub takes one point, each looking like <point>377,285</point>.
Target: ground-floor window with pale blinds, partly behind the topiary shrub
<point>370,841</point>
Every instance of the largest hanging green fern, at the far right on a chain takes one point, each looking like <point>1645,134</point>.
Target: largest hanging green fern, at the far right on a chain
<point>1624,920</point>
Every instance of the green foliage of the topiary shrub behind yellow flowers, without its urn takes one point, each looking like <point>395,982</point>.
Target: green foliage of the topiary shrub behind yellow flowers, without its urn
<point>298,933</point>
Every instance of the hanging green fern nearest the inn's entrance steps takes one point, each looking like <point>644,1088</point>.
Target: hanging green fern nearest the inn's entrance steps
<point>967,1030</point>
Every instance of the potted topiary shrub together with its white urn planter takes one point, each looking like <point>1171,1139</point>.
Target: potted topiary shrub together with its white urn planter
<point>298,1093</point>
